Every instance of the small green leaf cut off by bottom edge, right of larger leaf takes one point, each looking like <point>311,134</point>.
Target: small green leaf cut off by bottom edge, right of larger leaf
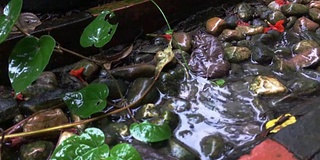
<point>124,151</point>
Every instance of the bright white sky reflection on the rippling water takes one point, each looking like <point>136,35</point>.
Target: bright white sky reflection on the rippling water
<point>226,111</point>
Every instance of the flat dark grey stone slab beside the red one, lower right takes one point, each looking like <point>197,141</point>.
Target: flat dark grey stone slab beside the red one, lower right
<point>302,138</point>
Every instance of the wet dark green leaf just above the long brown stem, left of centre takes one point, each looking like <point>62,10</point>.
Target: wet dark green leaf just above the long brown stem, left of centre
<point>89,100</point>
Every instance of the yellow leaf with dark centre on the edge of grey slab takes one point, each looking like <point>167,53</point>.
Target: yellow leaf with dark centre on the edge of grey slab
<point>280,122</point>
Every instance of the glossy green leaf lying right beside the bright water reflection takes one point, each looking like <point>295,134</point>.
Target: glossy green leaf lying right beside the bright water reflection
<point>149,132</point>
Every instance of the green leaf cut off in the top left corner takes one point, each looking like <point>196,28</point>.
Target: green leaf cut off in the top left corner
<point>10,15</point>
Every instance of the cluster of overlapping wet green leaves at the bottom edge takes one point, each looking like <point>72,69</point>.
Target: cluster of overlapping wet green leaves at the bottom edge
<point>90,145</point>
